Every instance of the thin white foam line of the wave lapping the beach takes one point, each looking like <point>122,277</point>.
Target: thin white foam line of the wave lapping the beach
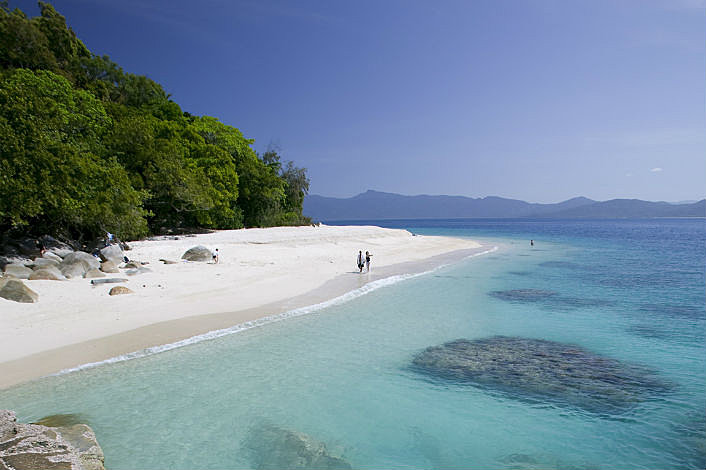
<point>297,312</point>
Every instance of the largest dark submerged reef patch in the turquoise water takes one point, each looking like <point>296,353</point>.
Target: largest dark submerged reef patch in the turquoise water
<point>541,370</point>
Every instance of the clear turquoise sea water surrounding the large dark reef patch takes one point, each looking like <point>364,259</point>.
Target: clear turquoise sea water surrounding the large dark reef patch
<point>627,290</point>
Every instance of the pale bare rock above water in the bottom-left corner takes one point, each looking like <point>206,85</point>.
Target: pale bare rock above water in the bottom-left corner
<point>33,446</point>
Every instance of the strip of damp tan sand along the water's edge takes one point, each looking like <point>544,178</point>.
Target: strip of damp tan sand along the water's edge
<point>162,335</point>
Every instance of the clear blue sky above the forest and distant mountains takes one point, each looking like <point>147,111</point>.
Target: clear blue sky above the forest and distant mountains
<point>539,100</point>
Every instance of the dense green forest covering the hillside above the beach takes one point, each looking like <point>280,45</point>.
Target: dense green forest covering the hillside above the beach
<point>87,148</point>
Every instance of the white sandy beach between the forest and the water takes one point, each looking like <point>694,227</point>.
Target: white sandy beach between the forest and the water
<point>261,272</point>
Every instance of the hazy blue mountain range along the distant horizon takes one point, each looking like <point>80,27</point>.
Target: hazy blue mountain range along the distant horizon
<point>380,205</point>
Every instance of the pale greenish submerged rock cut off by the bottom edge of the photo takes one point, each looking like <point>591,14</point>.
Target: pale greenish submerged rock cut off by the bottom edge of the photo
<point>271,447</point>
